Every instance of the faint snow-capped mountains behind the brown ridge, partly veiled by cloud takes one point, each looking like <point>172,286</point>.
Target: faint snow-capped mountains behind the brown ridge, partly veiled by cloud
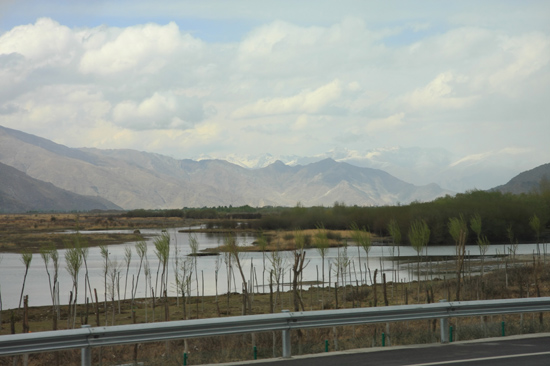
<point>415,165</point>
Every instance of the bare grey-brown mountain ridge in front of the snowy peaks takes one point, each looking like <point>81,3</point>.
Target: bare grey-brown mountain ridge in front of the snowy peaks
<point>133,179</point>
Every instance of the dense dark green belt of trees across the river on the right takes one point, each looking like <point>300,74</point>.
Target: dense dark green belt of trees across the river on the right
<point>500,213</point>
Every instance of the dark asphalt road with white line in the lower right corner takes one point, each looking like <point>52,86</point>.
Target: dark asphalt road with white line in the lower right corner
<point>524,350</point>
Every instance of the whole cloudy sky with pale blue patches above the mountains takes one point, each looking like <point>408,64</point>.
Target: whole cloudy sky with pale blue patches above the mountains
<point>192,78</point>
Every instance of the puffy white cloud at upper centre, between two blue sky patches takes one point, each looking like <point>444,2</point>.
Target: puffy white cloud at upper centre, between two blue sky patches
<point>283,50</point>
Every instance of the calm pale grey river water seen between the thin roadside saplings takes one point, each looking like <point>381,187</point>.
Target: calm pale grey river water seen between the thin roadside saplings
<point>37,286</point>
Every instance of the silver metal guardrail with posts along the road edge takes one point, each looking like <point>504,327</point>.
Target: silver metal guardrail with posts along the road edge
<point>87,337</point>
